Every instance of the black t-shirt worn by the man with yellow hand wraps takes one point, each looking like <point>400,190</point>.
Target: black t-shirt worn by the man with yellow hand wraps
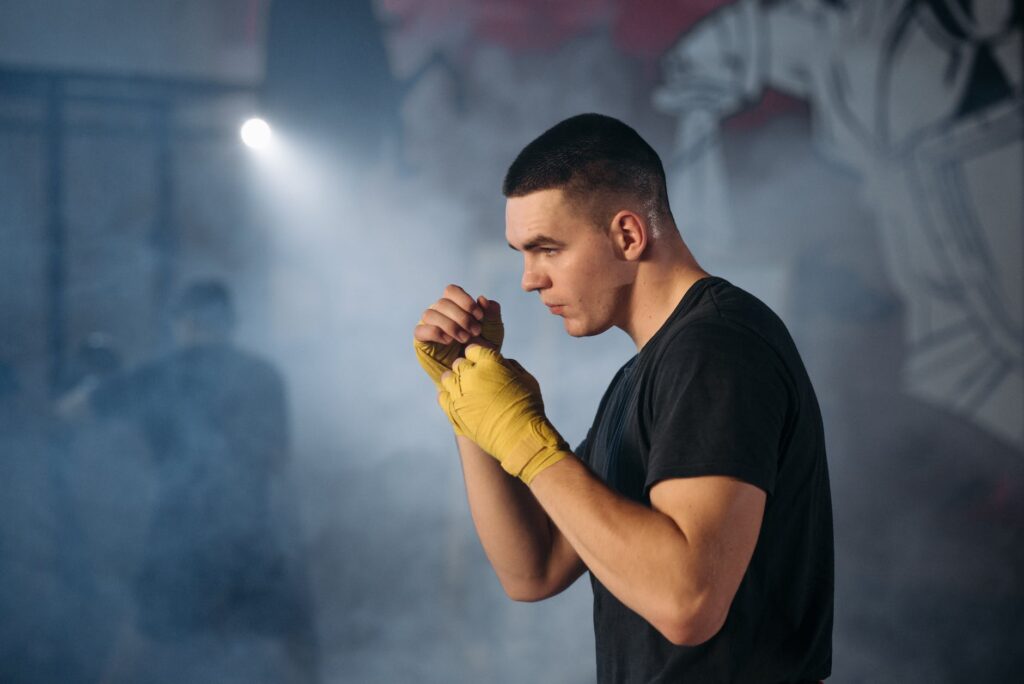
<point>720,390</point>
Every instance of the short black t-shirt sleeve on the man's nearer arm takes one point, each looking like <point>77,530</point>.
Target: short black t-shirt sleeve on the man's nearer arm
<point>718,406</point>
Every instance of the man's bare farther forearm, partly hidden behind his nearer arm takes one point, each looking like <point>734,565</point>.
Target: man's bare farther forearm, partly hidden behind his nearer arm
<point>532,559</point>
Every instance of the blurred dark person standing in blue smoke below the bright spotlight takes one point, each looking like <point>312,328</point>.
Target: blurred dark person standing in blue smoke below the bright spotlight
<point>222,595</point>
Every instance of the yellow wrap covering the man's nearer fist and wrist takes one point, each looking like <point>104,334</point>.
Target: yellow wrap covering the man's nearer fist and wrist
<point>498,405</point>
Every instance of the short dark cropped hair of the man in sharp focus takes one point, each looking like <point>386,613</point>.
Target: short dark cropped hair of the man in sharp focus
<point>589,155</point>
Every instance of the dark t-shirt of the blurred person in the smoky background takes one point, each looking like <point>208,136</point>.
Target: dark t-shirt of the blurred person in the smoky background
<point>218,552</point>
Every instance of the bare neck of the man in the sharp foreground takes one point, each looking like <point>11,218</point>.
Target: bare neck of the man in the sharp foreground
<point>661,284</point>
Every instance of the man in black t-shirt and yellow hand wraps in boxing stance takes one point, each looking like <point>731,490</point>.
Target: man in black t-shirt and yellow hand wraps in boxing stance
<point>700,500</point>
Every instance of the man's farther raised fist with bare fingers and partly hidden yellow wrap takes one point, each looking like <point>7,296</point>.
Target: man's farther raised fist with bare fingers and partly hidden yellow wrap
<point>453,322</point>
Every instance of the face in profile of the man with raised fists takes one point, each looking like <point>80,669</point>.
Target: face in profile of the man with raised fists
<point>574,266</point>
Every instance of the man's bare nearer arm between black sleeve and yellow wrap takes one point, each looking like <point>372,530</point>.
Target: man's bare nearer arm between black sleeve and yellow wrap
<point>679,564</point>
